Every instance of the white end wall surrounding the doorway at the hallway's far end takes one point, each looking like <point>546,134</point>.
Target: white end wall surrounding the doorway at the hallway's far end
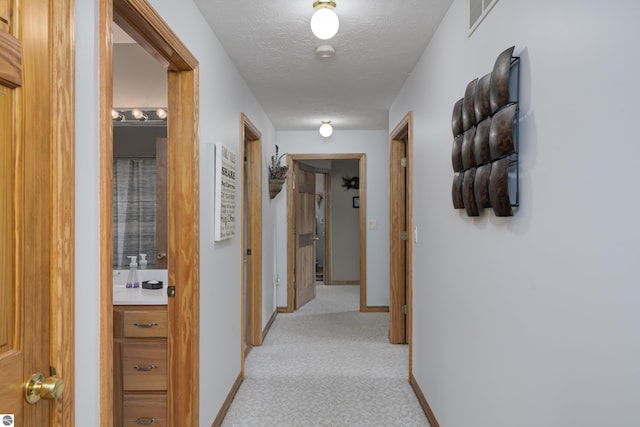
<point>376,146</point>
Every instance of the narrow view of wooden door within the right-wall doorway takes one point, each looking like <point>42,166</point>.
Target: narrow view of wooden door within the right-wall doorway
<point>398,238</point>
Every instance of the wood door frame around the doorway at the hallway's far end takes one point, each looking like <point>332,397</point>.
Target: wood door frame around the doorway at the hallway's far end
<point>362,170</point>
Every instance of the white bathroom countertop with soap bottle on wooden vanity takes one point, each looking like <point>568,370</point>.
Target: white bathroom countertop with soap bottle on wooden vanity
<point>138,296</point>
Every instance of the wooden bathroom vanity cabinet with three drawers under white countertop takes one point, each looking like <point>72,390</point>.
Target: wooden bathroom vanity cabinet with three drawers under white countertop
<point>140,365</point>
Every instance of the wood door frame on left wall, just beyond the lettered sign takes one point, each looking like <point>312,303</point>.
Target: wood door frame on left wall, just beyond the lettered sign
<point>250,133</point>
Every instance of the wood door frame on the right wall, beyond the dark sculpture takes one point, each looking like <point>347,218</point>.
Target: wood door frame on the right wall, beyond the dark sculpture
<point>403,133</point>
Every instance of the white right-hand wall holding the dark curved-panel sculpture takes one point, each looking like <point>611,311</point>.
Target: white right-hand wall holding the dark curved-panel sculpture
<point>532,320</point>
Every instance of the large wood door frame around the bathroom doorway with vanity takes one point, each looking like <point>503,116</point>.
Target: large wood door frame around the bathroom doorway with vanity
<point>148,29</point>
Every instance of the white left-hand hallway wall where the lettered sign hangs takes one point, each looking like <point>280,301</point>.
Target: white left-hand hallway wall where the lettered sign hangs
<point>223,95</point>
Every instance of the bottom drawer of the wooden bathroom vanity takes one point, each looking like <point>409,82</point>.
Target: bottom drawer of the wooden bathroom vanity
<point>145,409</point>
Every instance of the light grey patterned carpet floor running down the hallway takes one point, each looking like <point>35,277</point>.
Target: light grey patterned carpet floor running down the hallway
<point>327,364</point>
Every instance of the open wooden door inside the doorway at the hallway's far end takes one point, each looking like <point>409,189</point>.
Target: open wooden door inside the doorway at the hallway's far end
<point>305,234</point>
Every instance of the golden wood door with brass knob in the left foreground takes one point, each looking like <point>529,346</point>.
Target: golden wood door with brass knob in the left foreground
<point>36,210</point>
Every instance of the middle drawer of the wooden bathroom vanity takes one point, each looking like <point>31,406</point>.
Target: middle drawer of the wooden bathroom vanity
<point>144,365</point>
